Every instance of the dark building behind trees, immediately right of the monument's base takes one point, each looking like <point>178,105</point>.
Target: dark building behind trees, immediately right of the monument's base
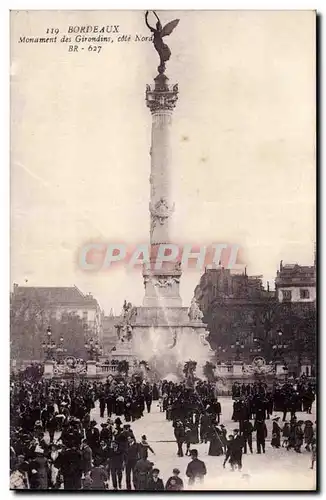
<point>237,310</point>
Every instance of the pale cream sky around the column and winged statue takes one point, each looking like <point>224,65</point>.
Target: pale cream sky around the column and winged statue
<point>243,143</point>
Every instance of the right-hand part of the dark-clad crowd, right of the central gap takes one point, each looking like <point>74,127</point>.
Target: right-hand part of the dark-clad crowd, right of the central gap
<point>196,415</point>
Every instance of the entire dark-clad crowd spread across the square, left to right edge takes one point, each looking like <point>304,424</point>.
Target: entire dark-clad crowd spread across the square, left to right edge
<point>55,443</point>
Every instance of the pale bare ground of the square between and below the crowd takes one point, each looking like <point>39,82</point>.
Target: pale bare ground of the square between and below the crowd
<point>277,469</point>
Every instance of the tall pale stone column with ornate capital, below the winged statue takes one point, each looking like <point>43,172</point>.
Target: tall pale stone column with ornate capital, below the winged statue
<point>161,285</point>
